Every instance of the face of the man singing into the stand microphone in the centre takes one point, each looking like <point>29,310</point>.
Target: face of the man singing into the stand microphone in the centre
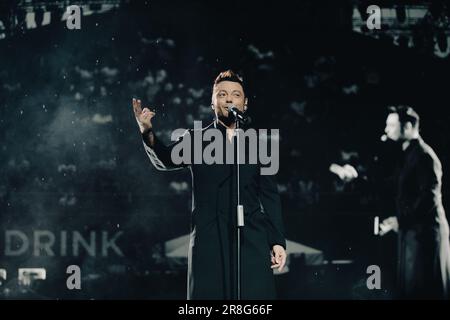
<point>225,94</point>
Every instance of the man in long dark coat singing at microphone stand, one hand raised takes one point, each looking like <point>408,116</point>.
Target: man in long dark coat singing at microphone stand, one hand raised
<point>212,248</point>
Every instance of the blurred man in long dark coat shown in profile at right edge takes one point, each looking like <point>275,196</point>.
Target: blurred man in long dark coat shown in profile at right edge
<point>423,269</point>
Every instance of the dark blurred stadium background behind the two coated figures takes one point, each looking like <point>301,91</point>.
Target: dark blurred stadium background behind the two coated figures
<point>73,165</point>
